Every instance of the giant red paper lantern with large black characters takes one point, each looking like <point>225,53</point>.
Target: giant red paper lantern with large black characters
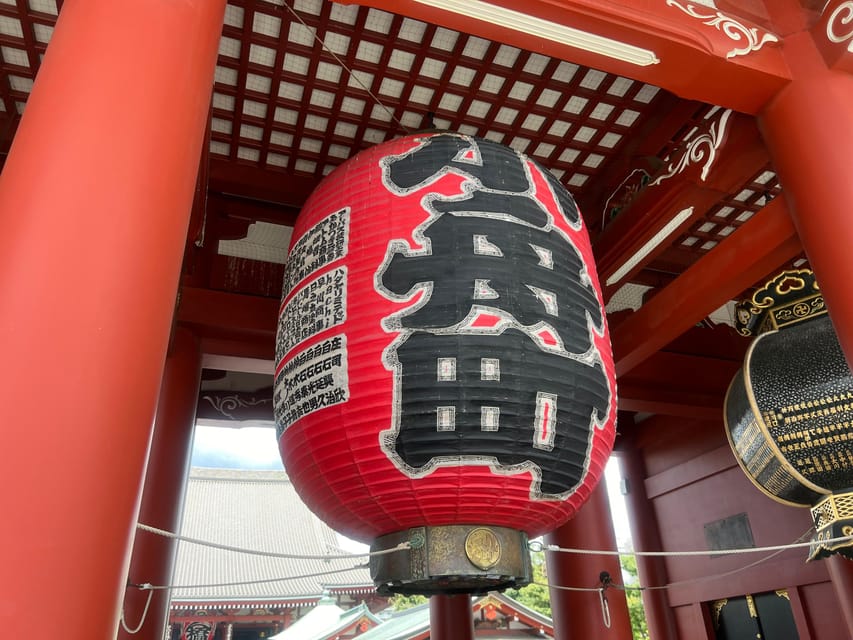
<point>443,358</point>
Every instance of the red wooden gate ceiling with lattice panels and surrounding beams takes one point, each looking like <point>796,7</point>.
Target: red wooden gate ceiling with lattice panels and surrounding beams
<point>678,192</point>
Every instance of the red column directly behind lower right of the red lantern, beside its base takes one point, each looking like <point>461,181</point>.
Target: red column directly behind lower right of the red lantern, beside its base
<point>578,615</point>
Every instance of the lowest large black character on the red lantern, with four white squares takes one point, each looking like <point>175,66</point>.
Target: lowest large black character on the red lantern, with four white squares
<point>471,398</point>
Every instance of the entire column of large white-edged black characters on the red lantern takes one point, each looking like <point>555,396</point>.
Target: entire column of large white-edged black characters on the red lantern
<point>497,363</point>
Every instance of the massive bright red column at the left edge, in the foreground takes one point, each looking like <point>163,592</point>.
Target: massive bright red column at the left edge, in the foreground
<point>95,196</point>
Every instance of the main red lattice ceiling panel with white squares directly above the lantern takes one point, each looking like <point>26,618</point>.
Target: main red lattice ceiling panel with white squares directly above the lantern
<point>302,89</point>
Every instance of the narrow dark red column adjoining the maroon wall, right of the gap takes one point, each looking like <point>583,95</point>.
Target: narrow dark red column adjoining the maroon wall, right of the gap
<point>646,537</point>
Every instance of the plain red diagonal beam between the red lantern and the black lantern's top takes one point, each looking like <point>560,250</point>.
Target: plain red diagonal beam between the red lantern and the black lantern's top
<point>761,245</point>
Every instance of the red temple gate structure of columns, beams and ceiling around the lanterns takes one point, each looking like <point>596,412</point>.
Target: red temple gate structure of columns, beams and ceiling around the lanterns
<point>155,155</point>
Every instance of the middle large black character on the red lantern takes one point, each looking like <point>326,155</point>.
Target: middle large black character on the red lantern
<point>536,276</point>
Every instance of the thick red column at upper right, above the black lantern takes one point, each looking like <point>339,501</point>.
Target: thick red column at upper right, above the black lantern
<point>808,128</point>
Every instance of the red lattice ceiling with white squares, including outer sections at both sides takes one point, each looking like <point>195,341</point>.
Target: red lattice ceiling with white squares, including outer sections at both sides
<point>302,85</point>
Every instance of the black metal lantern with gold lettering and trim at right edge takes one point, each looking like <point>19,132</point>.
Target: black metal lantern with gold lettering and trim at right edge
<point>789,410</point>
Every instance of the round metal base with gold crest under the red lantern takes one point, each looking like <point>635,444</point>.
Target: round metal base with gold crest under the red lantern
<point>451,559</point>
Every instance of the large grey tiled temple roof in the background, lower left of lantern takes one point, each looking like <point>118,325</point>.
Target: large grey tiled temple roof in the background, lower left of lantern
<point>257,510</point>
